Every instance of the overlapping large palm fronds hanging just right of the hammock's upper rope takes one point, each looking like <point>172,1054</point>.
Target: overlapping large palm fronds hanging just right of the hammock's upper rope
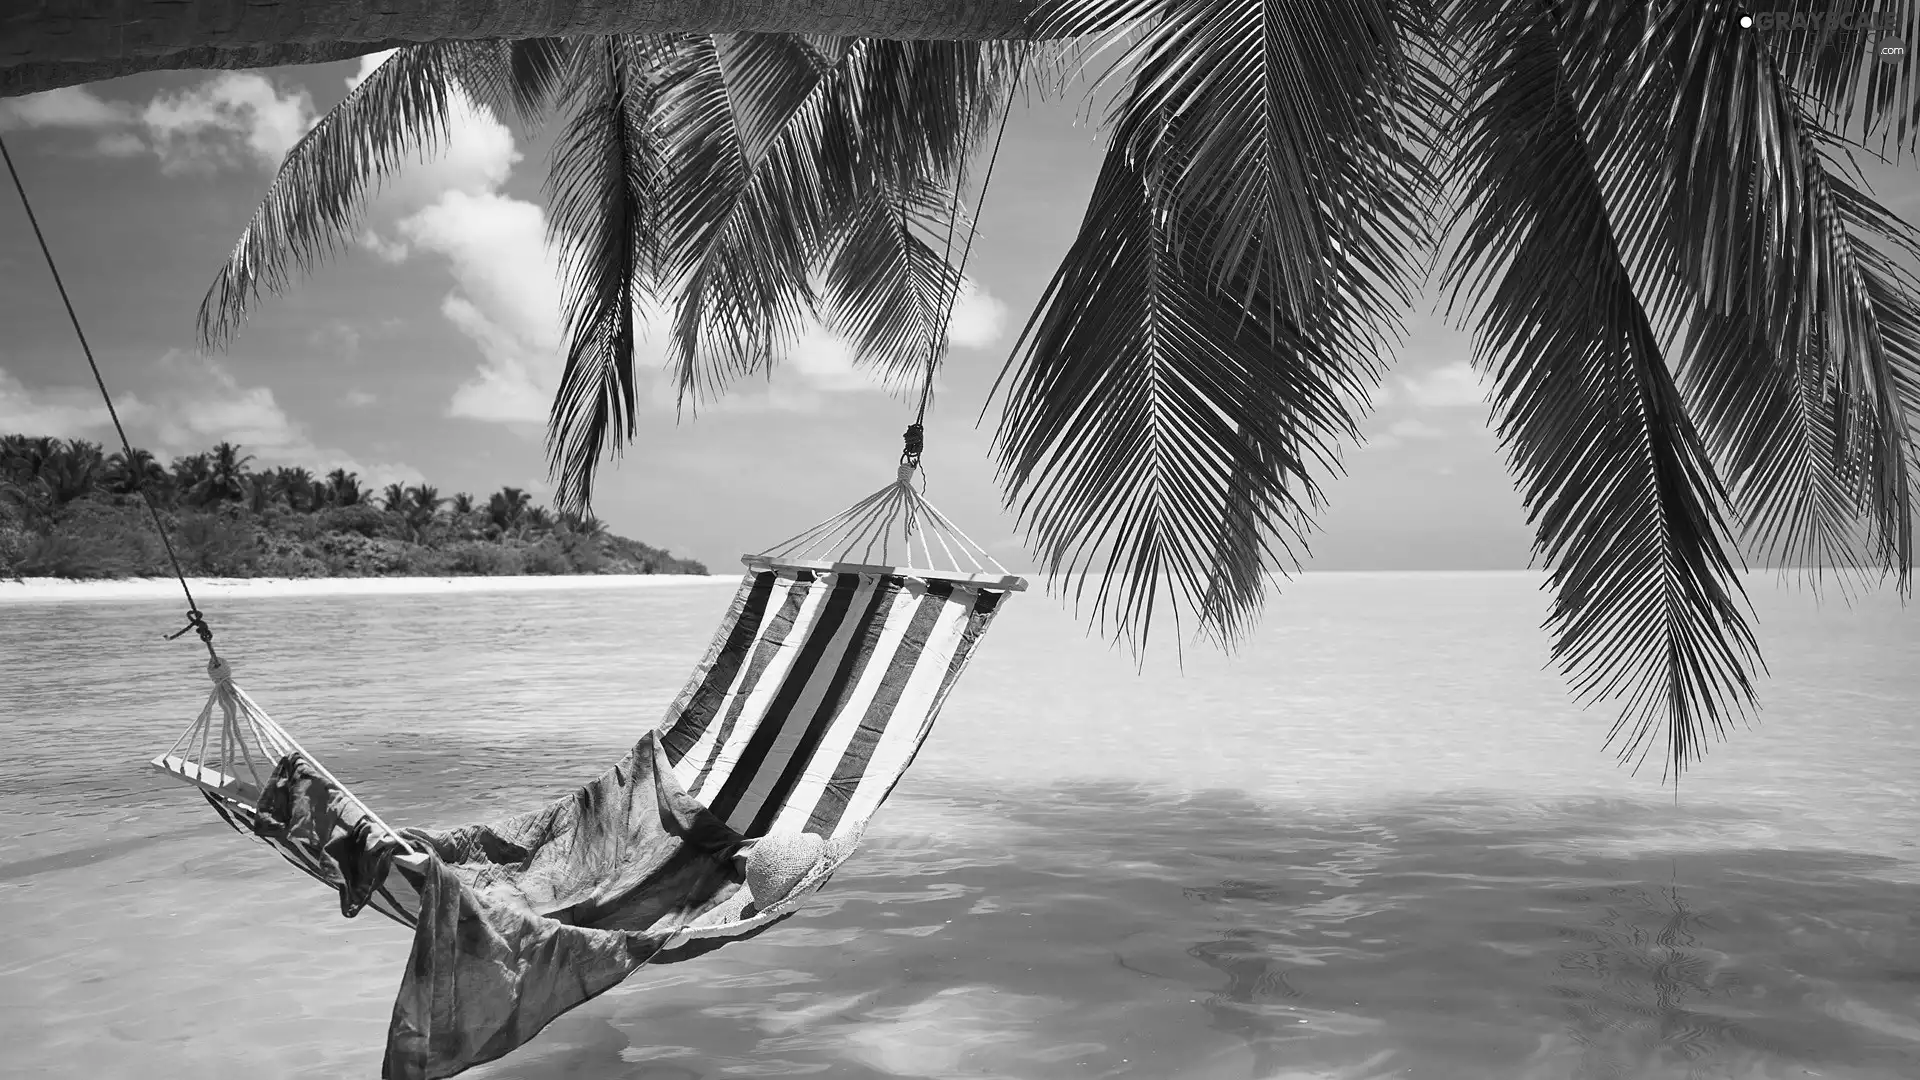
<point>1255,239</point>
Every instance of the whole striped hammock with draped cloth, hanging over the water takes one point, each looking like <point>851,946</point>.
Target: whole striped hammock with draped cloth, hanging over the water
<point>811,702</point>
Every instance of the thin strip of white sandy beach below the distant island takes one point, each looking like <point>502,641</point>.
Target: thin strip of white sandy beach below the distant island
<point>53,591</point>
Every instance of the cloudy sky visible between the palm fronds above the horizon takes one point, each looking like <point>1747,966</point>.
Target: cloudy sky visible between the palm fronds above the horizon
<point>429,351</point>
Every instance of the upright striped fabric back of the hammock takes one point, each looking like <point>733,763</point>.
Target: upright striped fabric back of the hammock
<point>817,695</point>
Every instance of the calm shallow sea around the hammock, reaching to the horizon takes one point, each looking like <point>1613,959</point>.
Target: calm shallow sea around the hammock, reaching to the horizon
<point>1380,841</point>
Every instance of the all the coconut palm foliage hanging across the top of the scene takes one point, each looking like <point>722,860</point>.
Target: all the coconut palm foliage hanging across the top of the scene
<point>1694,316</point>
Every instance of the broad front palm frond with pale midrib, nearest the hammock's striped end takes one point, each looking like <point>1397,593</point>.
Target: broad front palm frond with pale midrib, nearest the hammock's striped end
<point>1157,435</point>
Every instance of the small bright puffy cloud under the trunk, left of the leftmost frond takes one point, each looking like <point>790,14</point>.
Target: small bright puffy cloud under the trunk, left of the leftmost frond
<point>214,122</point>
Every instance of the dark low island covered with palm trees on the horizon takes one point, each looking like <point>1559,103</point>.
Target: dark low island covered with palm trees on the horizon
<point>70,510</point>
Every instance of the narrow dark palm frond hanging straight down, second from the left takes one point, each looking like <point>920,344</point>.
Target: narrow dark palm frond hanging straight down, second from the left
<point>602,195</point>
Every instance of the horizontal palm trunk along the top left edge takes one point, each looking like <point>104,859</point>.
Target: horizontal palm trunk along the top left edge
<point>60,43</point>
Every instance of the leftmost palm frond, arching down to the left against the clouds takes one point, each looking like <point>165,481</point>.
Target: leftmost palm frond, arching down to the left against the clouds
<point>318,197</point>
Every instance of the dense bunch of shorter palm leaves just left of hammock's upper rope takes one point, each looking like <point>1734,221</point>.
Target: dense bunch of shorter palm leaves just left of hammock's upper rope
<point>784,159</point>
